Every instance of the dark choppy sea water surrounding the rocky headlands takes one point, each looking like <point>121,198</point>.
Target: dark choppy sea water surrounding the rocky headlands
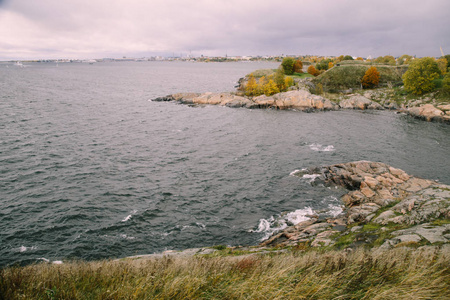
<point>91,169</point>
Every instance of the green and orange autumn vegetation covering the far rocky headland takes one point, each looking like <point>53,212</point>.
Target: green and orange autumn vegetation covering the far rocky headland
<point>407,76</point>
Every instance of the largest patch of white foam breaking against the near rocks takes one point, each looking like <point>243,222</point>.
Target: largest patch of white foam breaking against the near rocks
<point>271,225</point>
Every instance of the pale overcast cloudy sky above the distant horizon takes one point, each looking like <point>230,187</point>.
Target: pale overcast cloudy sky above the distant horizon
<point>37,29</point>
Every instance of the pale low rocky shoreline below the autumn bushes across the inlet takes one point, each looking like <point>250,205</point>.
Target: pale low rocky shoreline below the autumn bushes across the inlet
<point>303,100</point>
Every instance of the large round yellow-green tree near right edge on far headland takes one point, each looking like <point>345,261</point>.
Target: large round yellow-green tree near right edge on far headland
<point>418,79</point>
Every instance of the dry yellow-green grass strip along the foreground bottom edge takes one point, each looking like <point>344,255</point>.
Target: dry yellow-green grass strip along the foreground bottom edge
<point>362,274</point>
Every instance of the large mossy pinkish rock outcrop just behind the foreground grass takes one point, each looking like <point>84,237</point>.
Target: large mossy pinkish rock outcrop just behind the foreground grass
<point>384,207</point>
